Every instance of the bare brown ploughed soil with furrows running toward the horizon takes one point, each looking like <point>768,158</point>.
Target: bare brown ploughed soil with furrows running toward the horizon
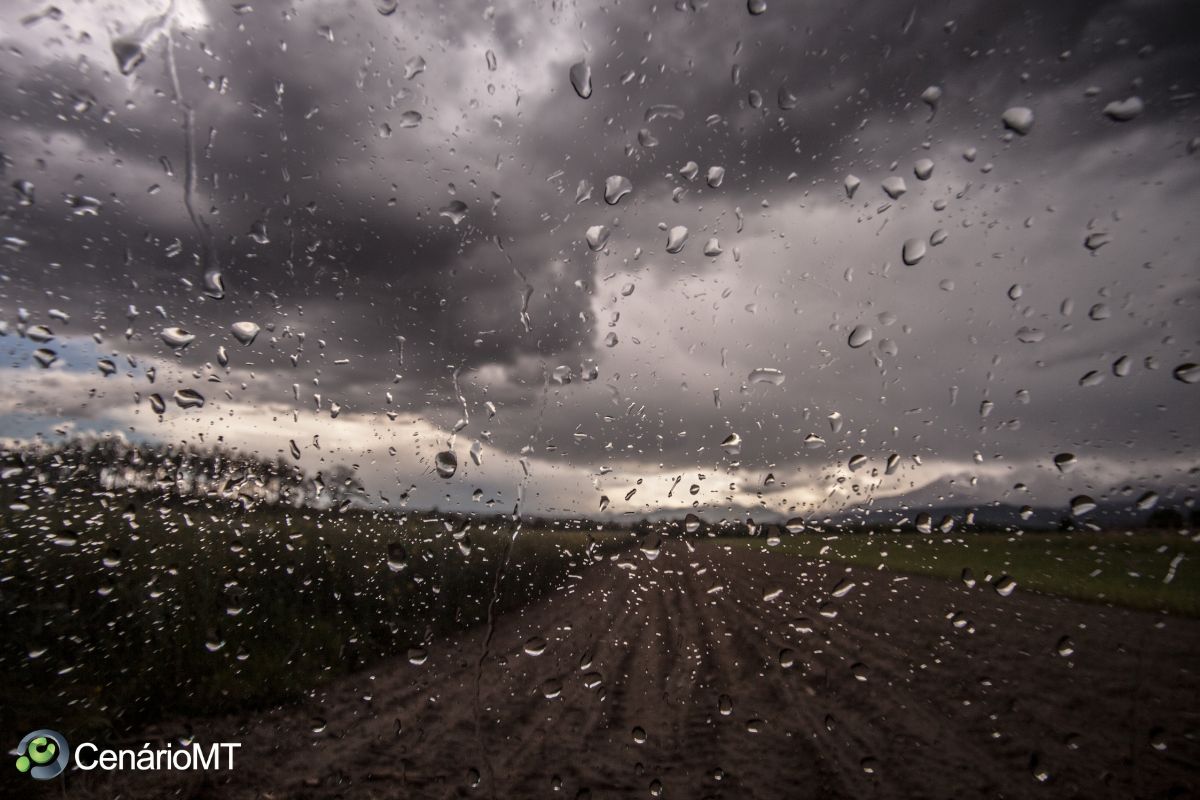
<point>692,677</point>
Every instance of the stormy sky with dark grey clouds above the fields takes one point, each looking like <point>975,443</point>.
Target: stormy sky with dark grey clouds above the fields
<point>401,200</point>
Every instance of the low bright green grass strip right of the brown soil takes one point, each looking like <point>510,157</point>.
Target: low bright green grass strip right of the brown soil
<point>1114,568</point>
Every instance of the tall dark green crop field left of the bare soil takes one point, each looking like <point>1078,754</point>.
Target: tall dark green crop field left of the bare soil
<point>124,609</point>
